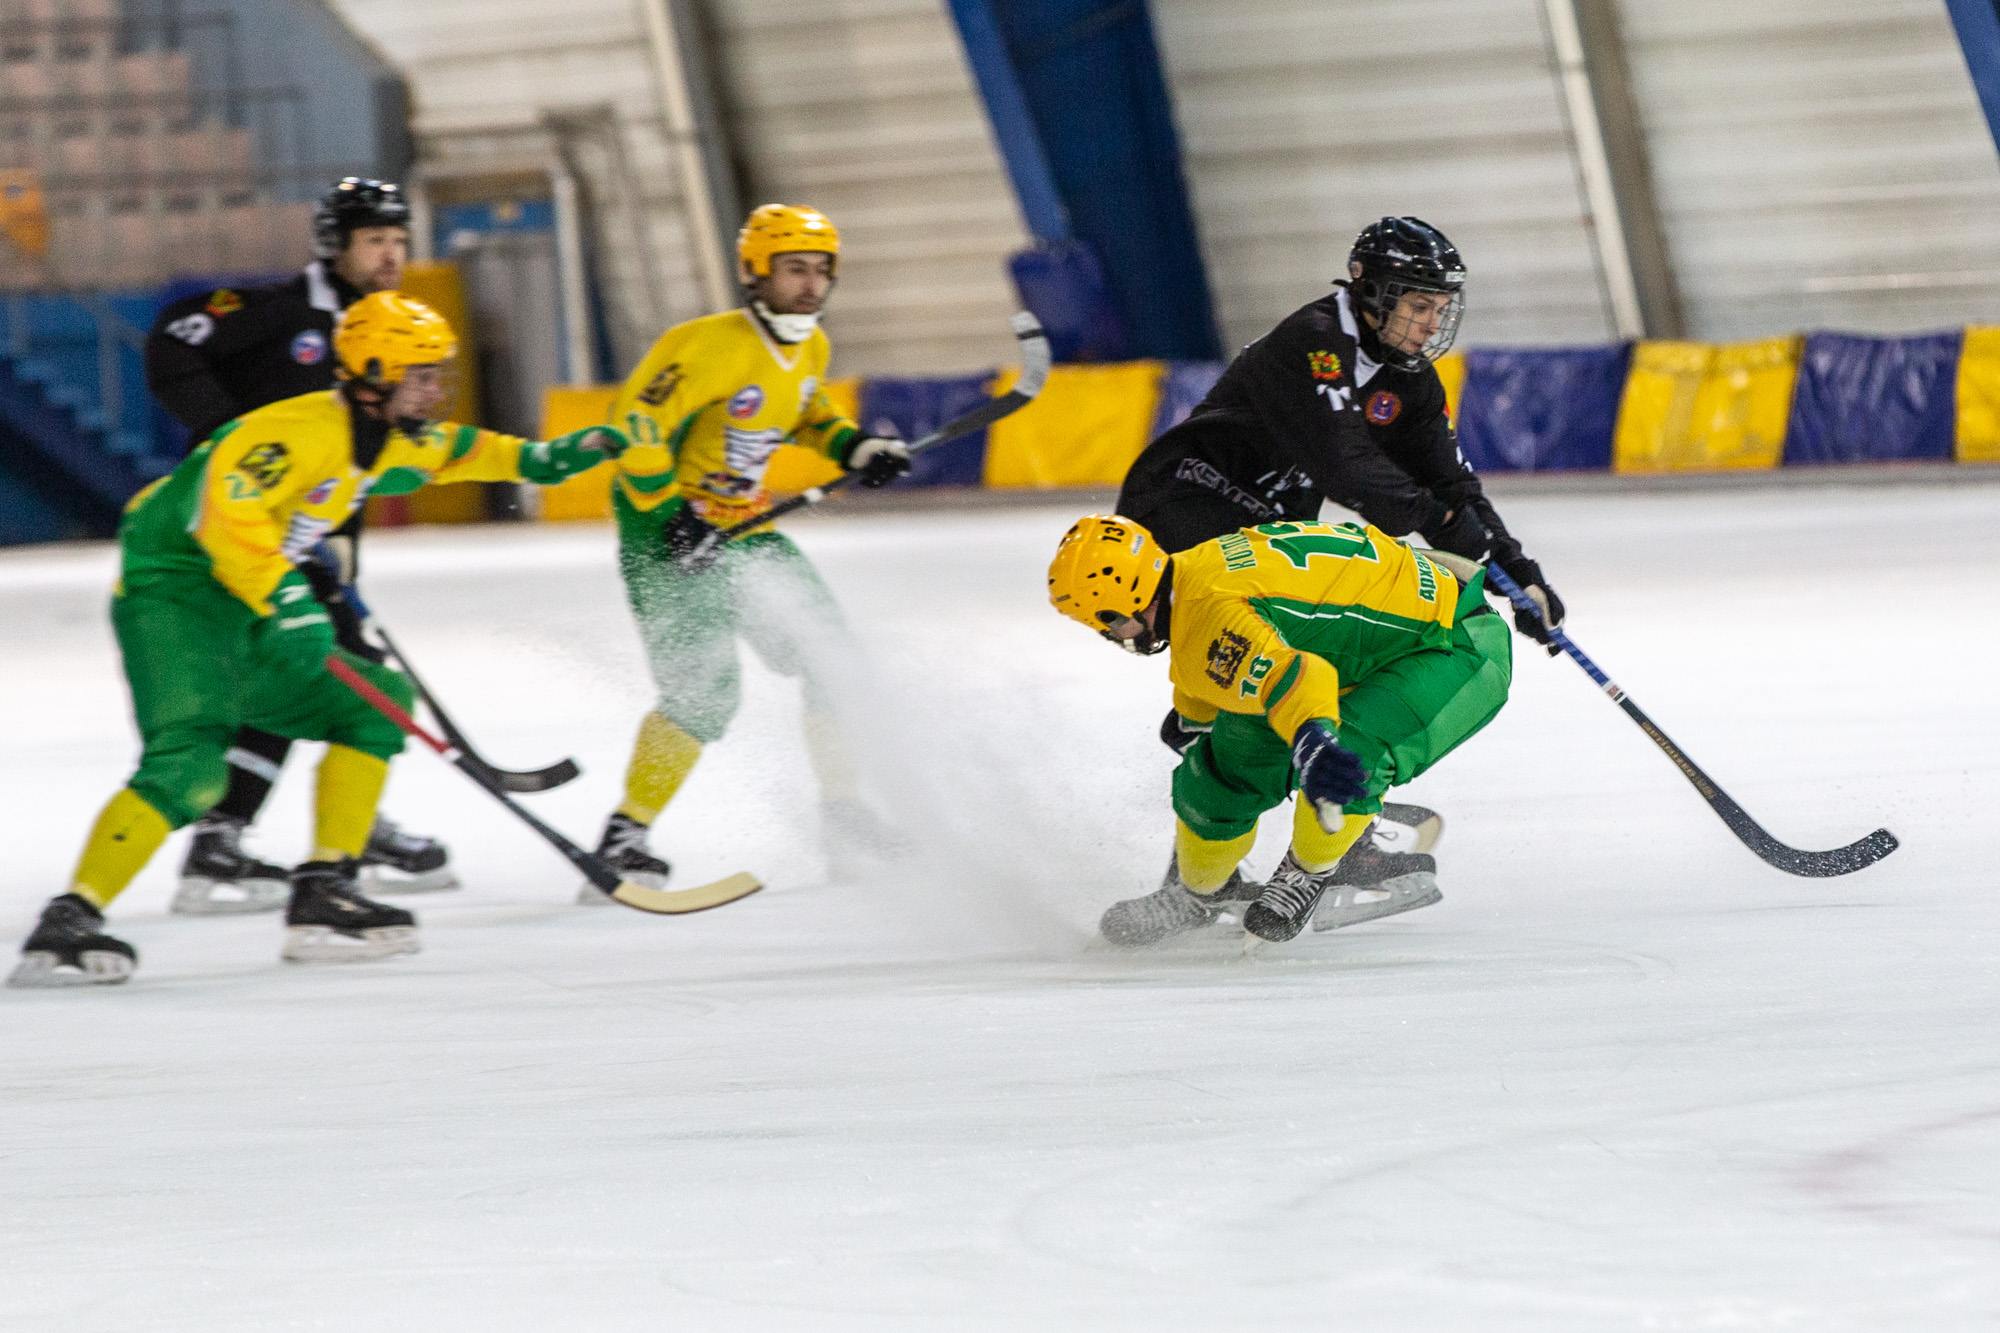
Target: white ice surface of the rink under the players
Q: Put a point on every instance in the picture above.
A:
(1621, 1078)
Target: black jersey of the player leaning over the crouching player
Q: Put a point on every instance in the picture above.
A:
(1305, 415)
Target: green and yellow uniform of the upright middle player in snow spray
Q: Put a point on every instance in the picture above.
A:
(707, 409)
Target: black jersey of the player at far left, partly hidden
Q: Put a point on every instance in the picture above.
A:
(217, 355)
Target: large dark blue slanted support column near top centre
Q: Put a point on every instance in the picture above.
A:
(1079, 105)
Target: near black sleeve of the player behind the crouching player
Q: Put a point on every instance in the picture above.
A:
(1325, 441)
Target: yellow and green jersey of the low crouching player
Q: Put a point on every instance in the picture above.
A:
(1281, 619)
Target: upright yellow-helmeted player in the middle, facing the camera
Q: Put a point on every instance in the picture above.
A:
(707, 409)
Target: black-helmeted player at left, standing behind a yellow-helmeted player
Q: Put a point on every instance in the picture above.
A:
(215, 357)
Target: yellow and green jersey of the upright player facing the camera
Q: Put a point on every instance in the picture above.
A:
(709, 407)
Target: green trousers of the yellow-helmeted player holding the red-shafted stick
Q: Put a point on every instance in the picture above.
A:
(199, 672)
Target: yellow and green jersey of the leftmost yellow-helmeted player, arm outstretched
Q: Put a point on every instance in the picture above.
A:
(269, 485)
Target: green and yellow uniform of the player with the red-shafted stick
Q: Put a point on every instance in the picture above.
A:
(207, 583)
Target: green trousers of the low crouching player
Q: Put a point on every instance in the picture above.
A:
(1399, 722)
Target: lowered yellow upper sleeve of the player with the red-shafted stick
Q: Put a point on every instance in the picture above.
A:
(243, 489)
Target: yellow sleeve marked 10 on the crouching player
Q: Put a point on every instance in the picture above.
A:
(1229, 659)
